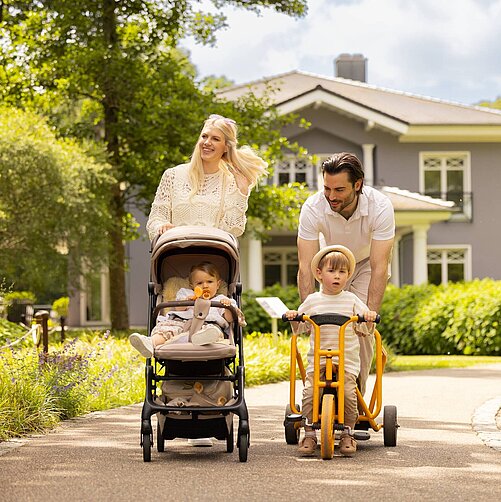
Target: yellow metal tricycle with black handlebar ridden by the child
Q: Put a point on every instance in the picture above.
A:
(329, 417)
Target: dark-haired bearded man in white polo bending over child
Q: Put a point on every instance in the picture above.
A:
(360, 218)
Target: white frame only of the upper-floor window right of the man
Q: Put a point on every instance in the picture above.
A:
(466, 214)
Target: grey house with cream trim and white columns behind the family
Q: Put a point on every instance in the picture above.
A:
(438, 161)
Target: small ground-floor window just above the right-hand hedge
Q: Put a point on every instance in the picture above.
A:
(452, 264)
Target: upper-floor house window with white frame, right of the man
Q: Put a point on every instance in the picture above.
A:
(446, 175)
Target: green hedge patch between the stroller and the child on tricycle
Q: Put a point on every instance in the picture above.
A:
(257, 319)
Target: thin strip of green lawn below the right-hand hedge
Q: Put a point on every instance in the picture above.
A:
(411, 363)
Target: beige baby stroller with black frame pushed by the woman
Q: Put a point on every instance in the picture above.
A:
(185, 371)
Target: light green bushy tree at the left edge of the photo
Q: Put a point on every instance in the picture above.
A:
(53, 197)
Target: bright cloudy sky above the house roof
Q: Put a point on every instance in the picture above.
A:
(446, 49)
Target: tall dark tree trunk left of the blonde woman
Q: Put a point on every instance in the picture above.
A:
(118, 298)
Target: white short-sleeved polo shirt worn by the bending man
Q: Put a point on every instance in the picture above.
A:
(373, 218)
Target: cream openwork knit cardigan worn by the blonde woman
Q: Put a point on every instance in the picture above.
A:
(173, 205)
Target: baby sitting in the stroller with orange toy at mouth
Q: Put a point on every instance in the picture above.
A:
(205, 279)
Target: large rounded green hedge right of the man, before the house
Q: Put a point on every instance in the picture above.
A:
(459, 318)
